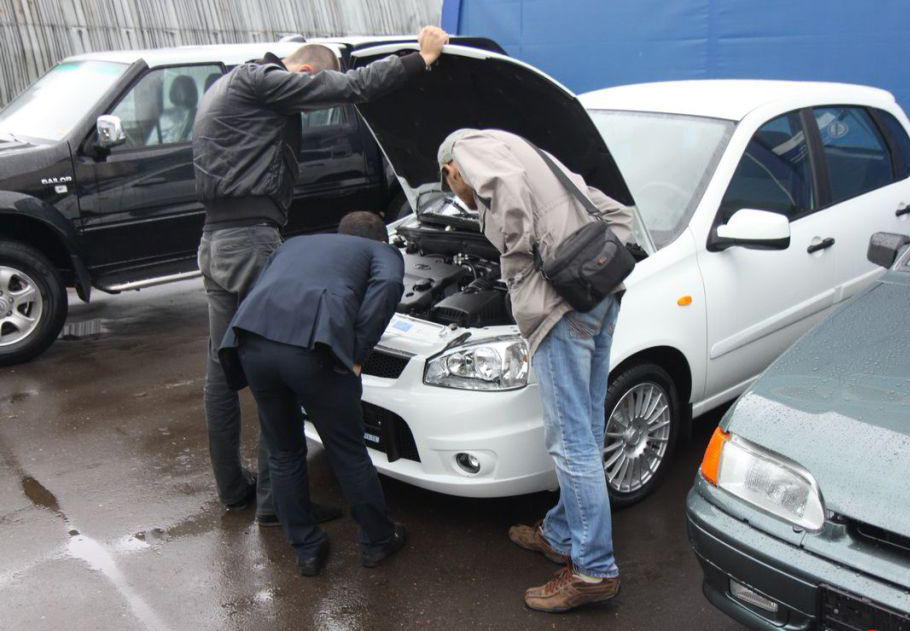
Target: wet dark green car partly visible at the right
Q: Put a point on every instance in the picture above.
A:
(800, 514)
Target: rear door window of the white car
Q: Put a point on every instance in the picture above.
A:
(855, 152)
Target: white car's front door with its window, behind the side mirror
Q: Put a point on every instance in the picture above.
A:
(759, 301)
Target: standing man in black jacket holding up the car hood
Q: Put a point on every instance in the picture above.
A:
(245, 139)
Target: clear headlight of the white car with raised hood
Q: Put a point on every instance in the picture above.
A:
(498, 364)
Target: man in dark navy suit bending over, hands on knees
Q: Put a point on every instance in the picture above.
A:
(301, 335)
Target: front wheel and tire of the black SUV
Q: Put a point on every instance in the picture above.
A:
(32, 289)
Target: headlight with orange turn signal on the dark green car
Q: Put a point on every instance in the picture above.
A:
(765, 480)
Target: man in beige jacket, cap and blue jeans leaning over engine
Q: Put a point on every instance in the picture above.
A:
(521, 202)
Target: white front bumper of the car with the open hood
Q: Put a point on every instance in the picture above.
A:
(503, 430)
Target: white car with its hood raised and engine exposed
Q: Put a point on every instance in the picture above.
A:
(757, 200)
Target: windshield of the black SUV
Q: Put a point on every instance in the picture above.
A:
(50, 108)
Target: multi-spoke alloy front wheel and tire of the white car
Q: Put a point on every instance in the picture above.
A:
(637, 454)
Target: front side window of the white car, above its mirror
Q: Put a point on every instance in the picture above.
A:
(775, 172)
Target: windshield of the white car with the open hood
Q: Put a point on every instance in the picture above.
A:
(666, 160)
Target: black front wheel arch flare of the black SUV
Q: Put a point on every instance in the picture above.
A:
(40, 225)
